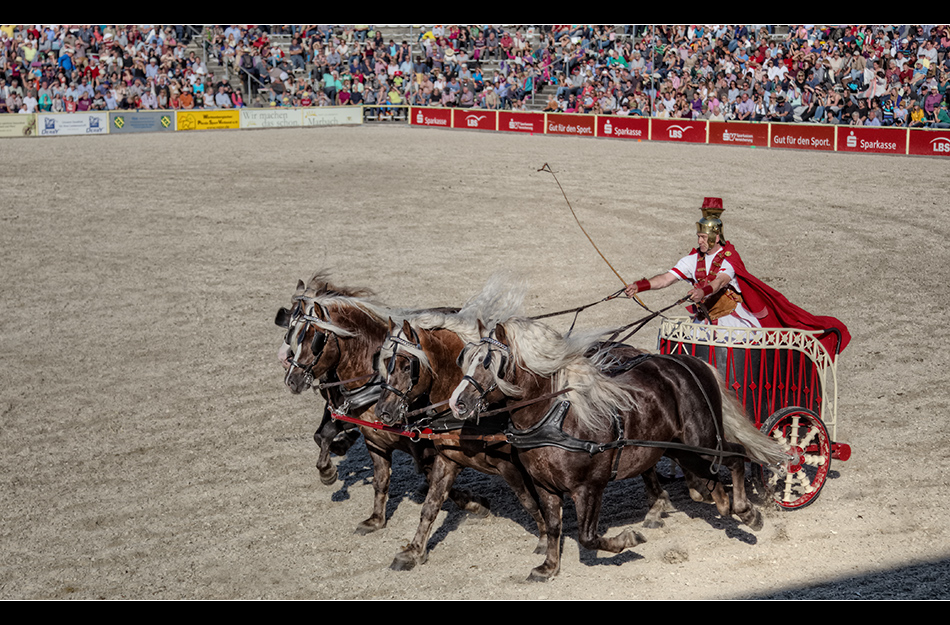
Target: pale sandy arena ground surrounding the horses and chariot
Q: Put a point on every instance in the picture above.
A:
(151, 450)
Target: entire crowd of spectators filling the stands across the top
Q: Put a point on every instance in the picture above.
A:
(842, 74)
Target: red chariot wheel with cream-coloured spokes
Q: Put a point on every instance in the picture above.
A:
(802, 431)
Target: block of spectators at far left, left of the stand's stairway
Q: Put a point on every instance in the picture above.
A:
(68, 68)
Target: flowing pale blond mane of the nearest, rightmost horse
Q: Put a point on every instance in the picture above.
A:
(543, 351)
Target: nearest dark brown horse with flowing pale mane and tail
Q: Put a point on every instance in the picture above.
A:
(577, 428)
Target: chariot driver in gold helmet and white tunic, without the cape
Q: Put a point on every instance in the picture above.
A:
(716, 293)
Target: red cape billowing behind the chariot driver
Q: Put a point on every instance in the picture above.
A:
(775, 311)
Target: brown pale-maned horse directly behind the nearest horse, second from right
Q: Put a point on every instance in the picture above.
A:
(419, 368)
